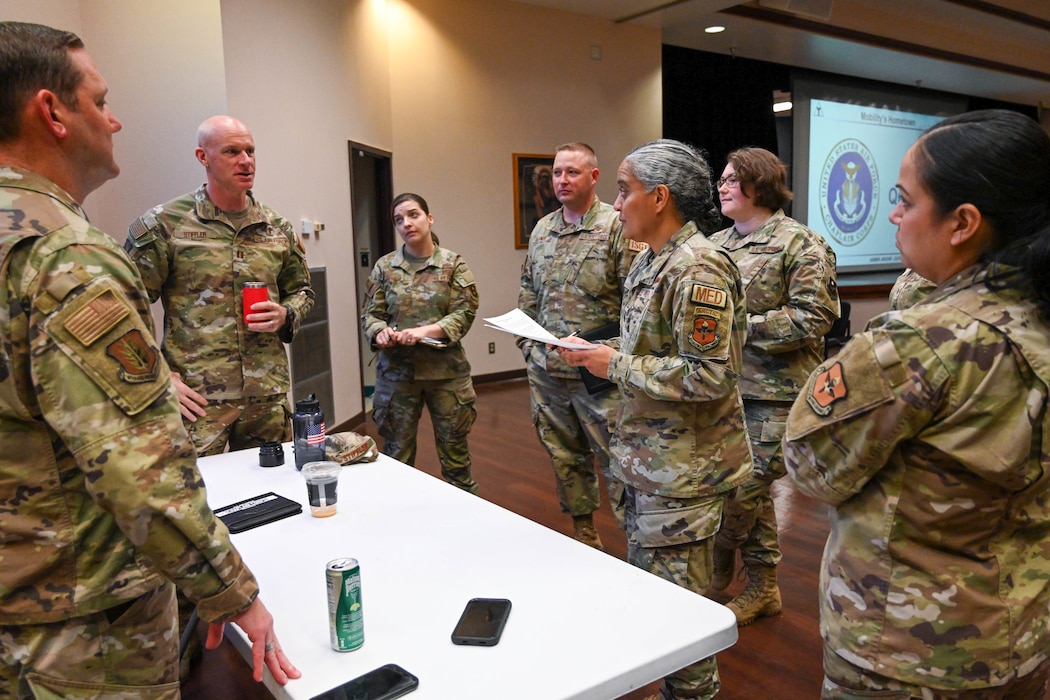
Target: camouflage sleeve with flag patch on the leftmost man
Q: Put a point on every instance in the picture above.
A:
(104, 387)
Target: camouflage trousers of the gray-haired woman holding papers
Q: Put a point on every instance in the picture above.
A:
(684, 558)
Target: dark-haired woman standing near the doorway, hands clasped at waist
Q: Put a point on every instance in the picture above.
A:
(422, 302)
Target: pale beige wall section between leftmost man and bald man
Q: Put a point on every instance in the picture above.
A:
(163, 62)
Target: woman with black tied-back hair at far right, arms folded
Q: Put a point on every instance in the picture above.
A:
(930, 436)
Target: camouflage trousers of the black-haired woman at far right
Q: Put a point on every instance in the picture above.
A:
(845, 682)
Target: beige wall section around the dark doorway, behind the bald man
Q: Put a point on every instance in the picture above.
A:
(308, 78)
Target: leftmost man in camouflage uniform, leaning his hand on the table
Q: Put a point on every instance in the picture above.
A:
(103, 506)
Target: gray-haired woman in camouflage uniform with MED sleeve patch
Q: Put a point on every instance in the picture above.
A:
(680, 443)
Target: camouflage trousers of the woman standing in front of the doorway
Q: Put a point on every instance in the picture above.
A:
(397, 408)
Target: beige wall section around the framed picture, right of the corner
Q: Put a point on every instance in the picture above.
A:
(474, 82)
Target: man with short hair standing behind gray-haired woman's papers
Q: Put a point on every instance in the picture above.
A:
(573, 282)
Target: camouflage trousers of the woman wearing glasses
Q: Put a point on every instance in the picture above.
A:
(750, 521)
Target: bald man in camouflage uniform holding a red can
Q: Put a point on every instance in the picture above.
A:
(197, 253)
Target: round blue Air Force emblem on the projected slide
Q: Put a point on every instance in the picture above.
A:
(849, 193)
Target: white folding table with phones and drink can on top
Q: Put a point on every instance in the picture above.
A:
(584, 625)
